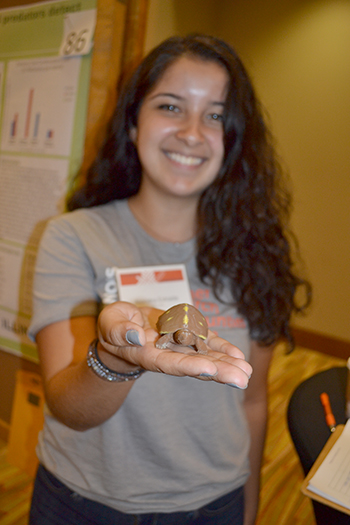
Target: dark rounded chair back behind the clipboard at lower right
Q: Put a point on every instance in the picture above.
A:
(309, 431)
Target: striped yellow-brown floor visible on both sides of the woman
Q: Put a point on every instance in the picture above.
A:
(282, 502)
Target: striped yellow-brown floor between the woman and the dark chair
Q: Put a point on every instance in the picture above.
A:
(282, 502)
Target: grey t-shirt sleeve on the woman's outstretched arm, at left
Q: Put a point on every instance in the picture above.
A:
(64, 278)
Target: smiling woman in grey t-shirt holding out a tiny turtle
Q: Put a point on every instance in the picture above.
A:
(133, 433)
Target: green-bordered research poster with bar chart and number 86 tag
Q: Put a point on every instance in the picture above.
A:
(45, 59)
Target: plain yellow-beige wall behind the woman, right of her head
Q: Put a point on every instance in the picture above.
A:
(297, 52)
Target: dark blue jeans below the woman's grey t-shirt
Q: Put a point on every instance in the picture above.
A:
(55, 504)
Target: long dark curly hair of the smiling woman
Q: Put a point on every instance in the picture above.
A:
(242, 239)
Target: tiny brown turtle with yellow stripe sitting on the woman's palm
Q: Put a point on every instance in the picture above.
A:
(184, 325)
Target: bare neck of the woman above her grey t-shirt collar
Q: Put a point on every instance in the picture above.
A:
(165, 221)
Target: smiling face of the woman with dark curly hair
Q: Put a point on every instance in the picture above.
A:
(179, 135)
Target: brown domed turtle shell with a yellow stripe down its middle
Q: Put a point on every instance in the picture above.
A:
(183, 316)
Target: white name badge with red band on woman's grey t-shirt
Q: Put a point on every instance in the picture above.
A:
(158, 286)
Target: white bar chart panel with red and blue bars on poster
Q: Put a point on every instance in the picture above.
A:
(40, 99)
